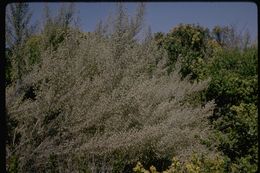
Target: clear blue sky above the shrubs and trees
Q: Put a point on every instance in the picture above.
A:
(162, 16)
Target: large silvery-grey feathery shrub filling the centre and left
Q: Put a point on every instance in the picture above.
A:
(92, 103)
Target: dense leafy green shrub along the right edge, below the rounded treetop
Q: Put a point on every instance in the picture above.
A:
(234, 87)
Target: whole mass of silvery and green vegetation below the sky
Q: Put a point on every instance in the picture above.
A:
(102, 101)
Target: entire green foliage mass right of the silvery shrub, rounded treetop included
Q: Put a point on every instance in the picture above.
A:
(231, 63)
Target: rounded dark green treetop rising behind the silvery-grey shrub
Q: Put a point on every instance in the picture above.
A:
(188, 44)
